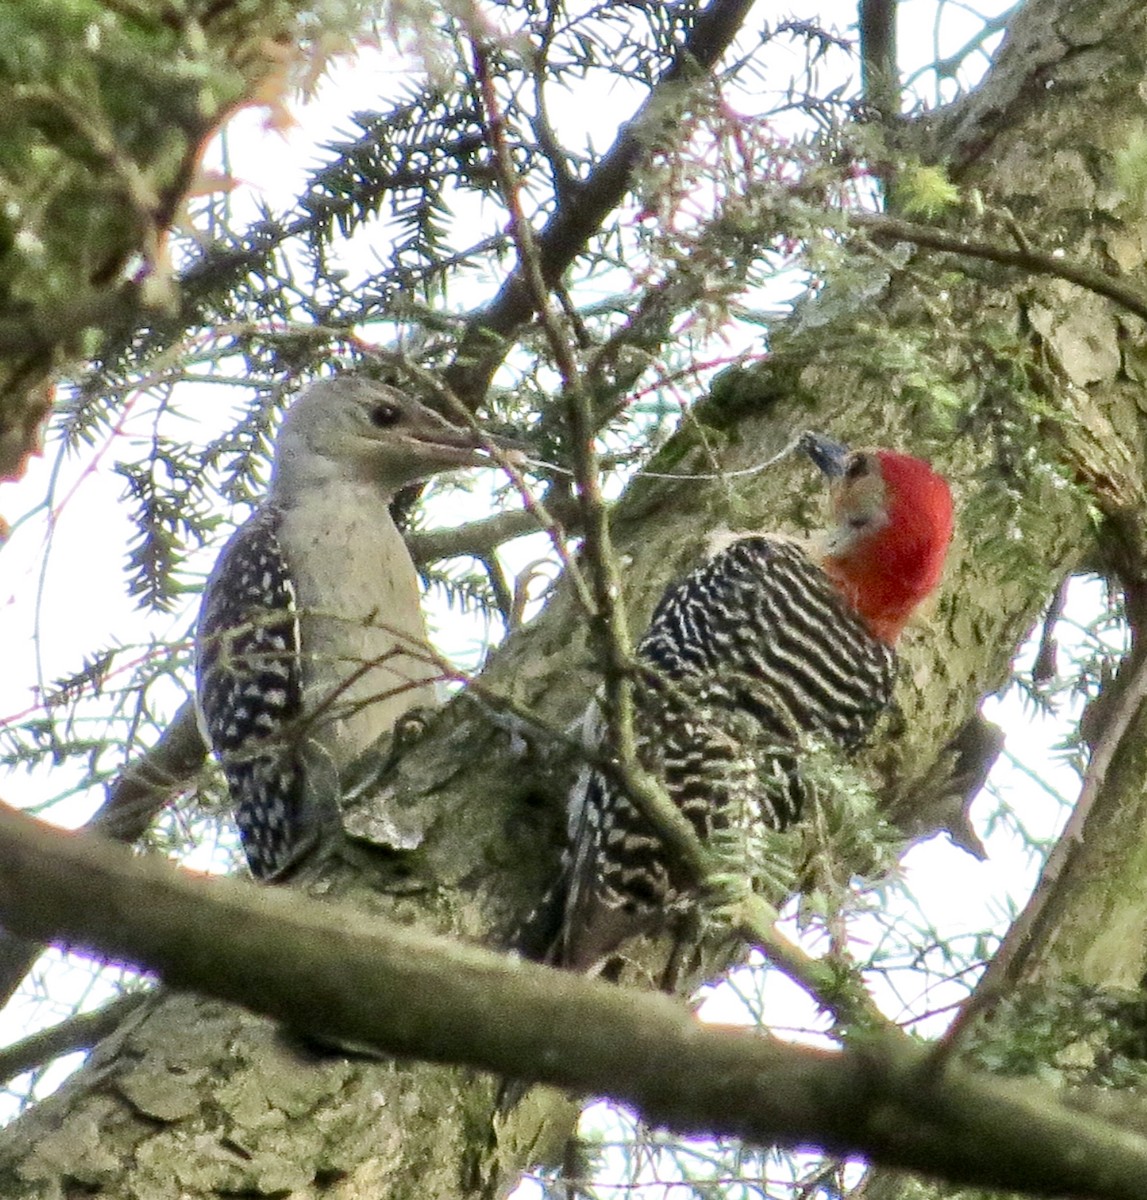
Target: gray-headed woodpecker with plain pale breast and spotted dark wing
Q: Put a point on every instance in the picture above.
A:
(311, 641)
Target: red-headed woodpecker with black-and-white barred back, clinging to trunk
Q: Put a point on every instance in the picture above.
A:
(765, 643)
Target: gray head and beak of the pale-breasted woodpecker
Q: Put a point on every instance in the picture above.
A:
(356, 429)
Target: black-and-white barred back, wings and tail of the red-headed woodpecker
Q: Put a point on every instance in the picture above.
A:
(749, 652)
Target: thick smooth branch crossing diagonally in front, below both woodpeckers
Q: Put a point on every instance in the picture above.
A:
(447, 1003)
